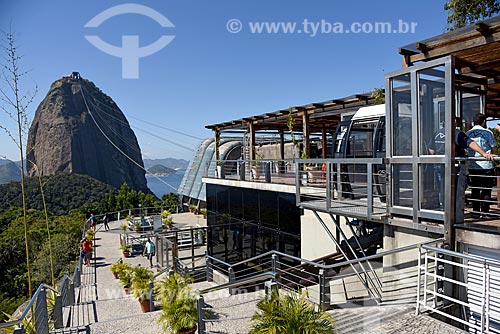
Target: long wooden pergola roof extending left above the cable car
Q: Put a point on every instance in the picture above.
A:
(321, 115)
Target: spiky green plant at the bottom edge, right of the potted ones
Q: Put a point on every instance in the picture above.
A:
(290, 314)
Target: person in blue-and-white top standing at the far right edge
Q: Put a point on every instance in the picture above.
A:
(482, 173)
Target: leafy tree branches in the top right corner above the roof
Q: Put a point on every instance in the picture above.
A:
(465, 12)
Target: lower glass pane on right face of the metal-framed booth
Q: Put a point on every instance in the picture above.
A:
(433, 180)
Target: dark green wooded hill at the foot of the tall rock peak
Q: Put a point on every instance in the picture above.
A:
(63, 192)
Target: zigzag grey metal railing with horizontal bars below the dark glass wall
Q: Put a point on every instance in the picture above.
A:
(325, 282)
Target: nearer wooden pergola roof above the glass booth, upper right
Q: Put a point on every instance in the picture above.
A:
(476, 49)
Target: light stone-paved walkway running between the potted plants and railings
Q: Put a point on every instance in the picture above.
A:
(106, 307)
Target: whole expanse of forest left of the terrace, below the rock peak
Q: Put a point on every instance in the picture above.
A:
(70, 198)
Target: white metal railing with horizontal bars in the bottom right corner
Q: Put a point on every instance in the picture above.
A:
(459, 287)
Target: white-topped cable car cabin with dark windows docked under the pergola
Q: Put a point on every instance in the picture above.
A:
(363, 136)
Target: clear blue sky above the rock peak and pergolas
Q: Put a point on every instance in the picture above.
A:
(207, 74)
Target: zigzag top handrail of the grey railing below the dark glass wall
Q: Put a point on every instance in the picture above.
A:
(330, 266)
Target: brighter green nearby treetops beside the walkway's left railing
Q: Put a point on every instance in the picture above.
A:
(65, 236)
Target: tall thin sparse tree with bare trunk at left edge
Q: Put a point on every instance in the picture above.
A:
(15, 104)
